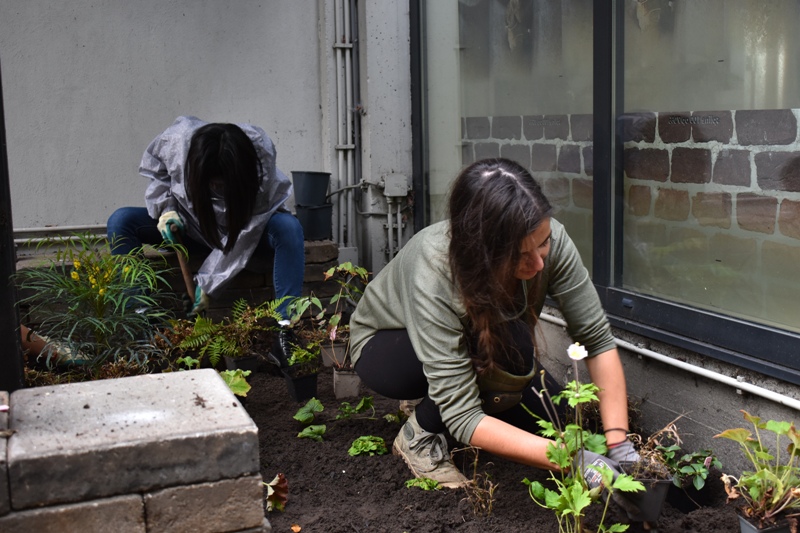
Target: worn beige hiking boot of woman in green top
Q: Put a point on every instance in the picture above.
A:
(426, 455)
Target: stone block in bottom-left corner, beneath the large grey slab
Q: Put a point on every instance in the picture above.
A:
(123, 514)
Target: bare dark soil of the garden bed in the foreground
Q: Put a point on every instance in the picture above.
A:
(330, 491)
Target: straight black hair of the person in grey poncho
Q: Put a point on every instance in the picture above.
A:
(222, 152)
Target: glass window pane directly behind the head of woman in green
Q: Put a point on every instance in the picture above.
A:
(513, 79)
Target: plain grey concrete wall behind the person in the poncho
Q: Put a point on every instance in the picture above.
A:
(87, 84)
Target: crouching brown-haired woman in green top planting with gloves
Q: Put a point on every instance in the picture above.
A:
(451, 320)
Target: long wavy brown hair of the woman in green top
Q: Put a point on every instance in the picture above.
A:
(494, 205)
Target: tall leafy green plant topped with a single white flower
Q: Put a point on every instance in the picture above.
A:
(572, 495)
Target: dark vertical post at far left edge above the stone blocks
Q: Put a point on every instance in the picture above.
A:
(11, 363)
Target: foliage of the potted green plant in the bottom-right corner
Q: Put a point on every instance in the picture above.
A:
(772, 488)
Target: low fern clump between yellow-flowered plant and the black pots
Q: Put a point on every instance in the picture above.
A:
(231, 337)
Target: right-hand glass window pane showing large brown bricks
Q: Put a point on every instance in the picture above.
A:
(711, 156)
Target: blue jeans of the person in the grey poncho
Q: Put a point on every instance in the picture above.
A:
(129, 228)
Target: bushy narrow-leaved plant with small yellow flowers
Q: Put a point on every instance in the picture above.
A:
(102, 306)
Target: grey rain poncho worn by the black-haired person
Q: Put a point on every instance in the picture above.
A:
(163, 162)
